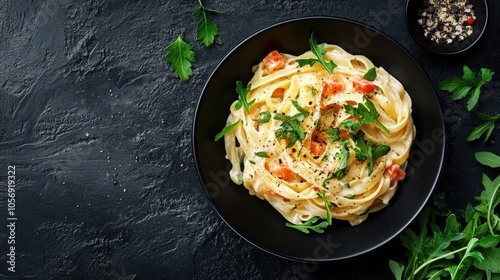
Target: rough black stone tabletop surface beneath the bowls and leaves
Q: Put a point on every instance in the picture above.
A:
(99, 130)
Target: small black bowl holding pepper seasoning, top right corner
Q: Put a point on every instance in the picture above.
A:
(480, 8)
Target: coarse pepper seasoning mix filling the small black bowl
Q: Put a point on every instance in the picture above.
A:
(448, 21)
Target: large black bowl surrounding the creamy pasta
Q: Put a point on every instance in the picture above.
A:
(256, 220)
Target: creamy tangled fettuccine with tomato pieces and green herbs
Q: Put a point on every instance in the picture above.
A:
(308, 132)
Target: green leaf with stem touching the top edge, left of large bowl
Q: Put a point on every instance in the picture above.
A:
(207, 30)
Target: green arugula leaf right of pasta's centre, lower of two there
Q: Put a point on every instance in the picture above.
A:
(368, 151)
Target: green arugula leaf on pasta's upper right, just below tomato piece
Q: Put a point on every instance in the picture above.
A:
(366, 113)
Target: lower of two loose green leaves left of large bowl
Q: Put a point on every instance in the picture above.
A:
(180, 56)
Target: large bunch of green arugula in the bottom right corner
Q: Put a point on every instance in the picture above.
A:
(462, 250)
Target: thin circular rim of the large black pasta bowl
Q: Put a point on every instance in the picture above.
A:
(434, 182)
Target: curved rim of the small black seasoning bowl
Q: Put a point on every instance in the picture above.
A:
(411, 30)
